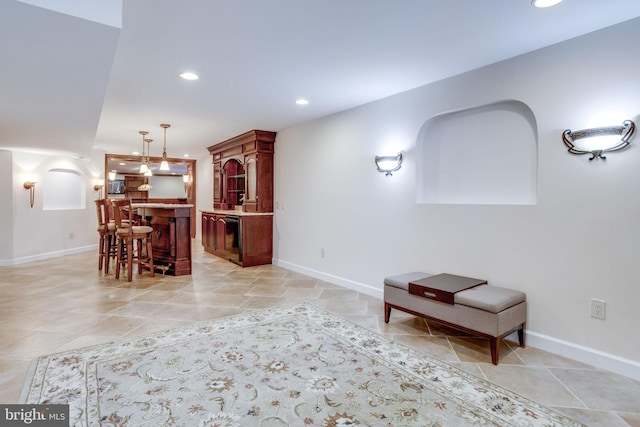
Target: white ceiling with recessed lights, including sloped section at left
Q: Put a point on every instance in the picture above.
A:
(74, 85)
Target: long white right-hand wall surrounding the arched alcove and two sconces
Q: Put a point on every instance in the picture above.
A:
(580, 241)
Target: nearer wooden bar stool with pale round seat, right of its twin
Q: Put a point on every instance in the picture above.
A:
(126, 233)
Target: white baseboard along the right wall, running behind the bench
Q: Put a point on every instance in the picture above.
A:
(597, 358)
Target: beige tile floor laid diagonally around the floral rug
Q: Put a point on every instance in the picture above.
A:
(49, 306)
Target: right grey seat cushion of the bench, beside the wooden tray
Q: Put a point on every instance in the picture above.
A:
(489, 298)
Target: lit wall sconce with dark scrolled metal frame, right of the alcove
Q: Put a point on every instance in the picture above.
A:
(602, 140)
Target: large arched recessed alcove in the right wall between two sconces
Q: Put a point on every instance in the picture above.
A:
(478, 155)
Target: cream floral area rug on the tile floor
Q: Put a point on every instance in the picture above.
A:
(286, 366)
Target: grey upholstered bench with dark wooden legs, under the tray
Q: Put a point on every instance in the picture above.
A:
(484, 310)
